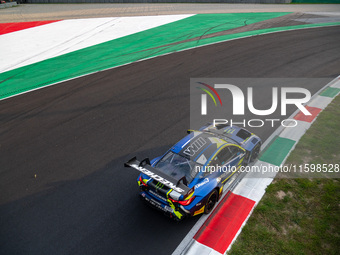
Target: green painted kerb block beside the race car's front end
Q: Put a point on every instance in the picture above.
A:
(277, 151)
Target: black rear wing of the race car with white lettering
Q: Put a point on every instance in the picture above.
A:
(145, 168)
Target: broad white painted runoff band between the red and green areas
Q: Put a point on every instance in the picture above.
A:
(39, 43)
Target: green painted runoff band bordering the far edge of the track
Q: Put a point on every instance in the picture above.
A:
(157, 41)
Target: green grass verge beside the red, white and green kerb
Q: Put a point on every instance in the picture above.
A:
(300, 216)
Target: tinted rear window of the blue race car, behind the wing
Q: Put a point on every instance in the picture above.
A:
(177, 166)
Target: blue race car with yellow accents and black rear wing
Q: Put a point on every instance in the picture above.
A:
(189, 178)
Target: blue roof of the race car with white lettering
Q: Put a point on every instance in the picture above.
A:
(200, 146)
